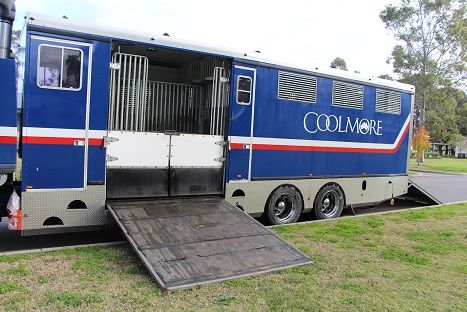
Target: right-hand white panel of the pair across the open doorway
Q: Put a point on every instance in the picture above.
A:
(195, 150)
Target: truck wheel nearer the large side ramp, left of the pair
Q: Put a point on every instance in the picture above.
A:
(284, 205)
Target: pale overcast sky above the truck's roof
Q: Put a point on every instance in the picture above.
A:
(311, 32)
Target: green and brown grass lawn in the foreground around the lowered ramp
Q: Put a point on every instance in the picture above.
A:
(403, 261)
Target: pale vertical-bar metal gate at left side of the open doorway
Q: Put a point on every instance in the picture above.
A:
(128, 96)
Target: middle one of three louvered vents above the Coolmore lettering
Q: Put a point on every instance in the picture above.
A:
(347, 95)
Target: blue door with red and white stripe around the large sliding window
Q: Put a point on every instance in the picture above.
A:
(51, 159)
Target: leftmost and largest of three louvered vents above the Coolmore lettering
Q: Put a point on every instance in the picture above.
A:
(297, 87)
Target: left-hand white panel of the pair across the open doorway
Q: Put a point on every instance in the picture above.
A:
(138, 149)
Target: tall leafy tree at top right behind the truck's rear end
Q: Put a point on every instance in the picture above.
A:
(432, 53)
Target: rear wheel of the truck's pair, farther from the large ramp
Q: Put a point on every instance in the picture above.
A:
(329, 202)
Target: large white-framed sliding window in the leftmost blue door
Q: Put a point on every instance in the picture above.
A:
(59, 68)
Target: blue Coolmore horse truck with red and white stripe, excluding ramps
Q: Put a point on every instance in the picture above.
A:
(113, 115)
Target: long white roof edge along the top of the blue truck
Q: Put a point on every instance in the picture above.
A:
(70, 26)
